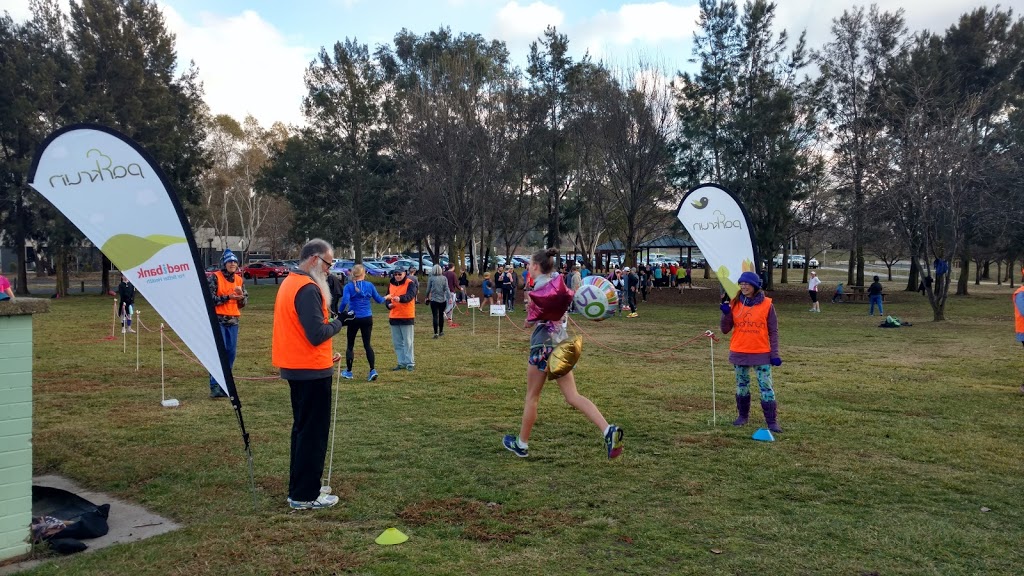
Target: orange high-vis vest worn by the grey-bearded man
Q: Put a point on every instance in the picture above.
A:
(290, 348)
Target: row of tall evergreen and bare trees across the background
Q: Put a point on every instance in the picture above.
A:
(903, 145)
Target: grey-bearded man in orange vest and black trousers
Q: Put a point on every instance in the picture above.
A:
(302, 349)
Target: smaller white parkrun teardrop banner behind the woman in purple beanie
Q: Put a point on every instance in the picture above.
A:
(720, 226)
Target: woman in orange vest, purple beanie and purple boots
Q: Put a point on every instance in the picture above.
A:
(751, 318)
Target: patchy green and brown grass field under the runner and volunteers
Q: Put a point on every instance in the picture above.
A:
(894, 441)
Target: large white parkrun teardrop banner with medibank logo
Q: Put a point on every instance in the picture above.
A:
(117, 196)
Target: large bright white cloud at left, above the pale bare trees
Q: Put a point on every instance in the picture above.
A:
(246, 65)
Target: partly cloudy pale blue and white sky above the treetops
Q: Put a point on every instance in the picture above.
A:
(251, 54)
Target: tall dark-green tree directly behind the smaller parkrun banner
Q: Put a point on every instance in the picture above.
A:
(747, 122)
